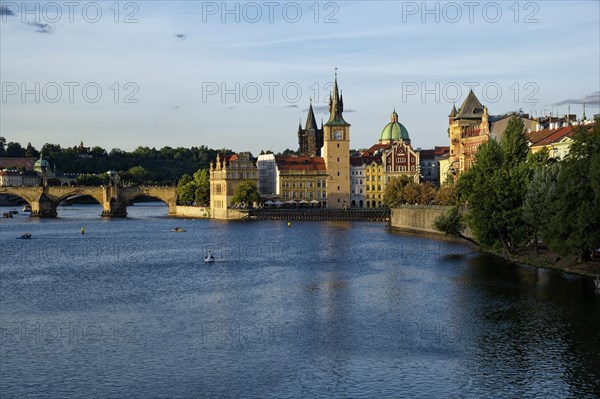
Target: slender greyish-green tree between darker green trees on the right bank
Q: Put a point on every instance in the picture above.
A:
(541, 192)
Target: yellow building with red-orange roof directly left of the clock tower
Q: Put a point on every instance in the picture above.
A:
(302, 179)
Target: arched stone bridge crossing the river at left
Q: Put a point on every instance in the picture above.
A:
(114, 199)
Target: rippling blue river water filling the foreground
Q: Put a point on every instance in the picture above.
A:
(318, 310)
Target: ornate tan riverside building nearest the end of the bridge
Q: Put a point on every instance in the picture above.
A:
(226, 174)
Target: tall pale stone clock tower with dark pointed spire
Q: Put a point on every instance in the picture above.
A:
(336, 152)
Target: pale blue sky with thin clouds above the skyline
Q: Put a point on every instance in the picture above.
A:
(240, 74)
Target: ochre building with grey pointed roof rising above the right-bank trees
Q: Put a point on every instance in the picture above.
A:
(468, 129)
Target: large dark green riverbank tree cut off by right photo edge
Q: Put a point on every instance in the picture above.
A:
(574, 225)
